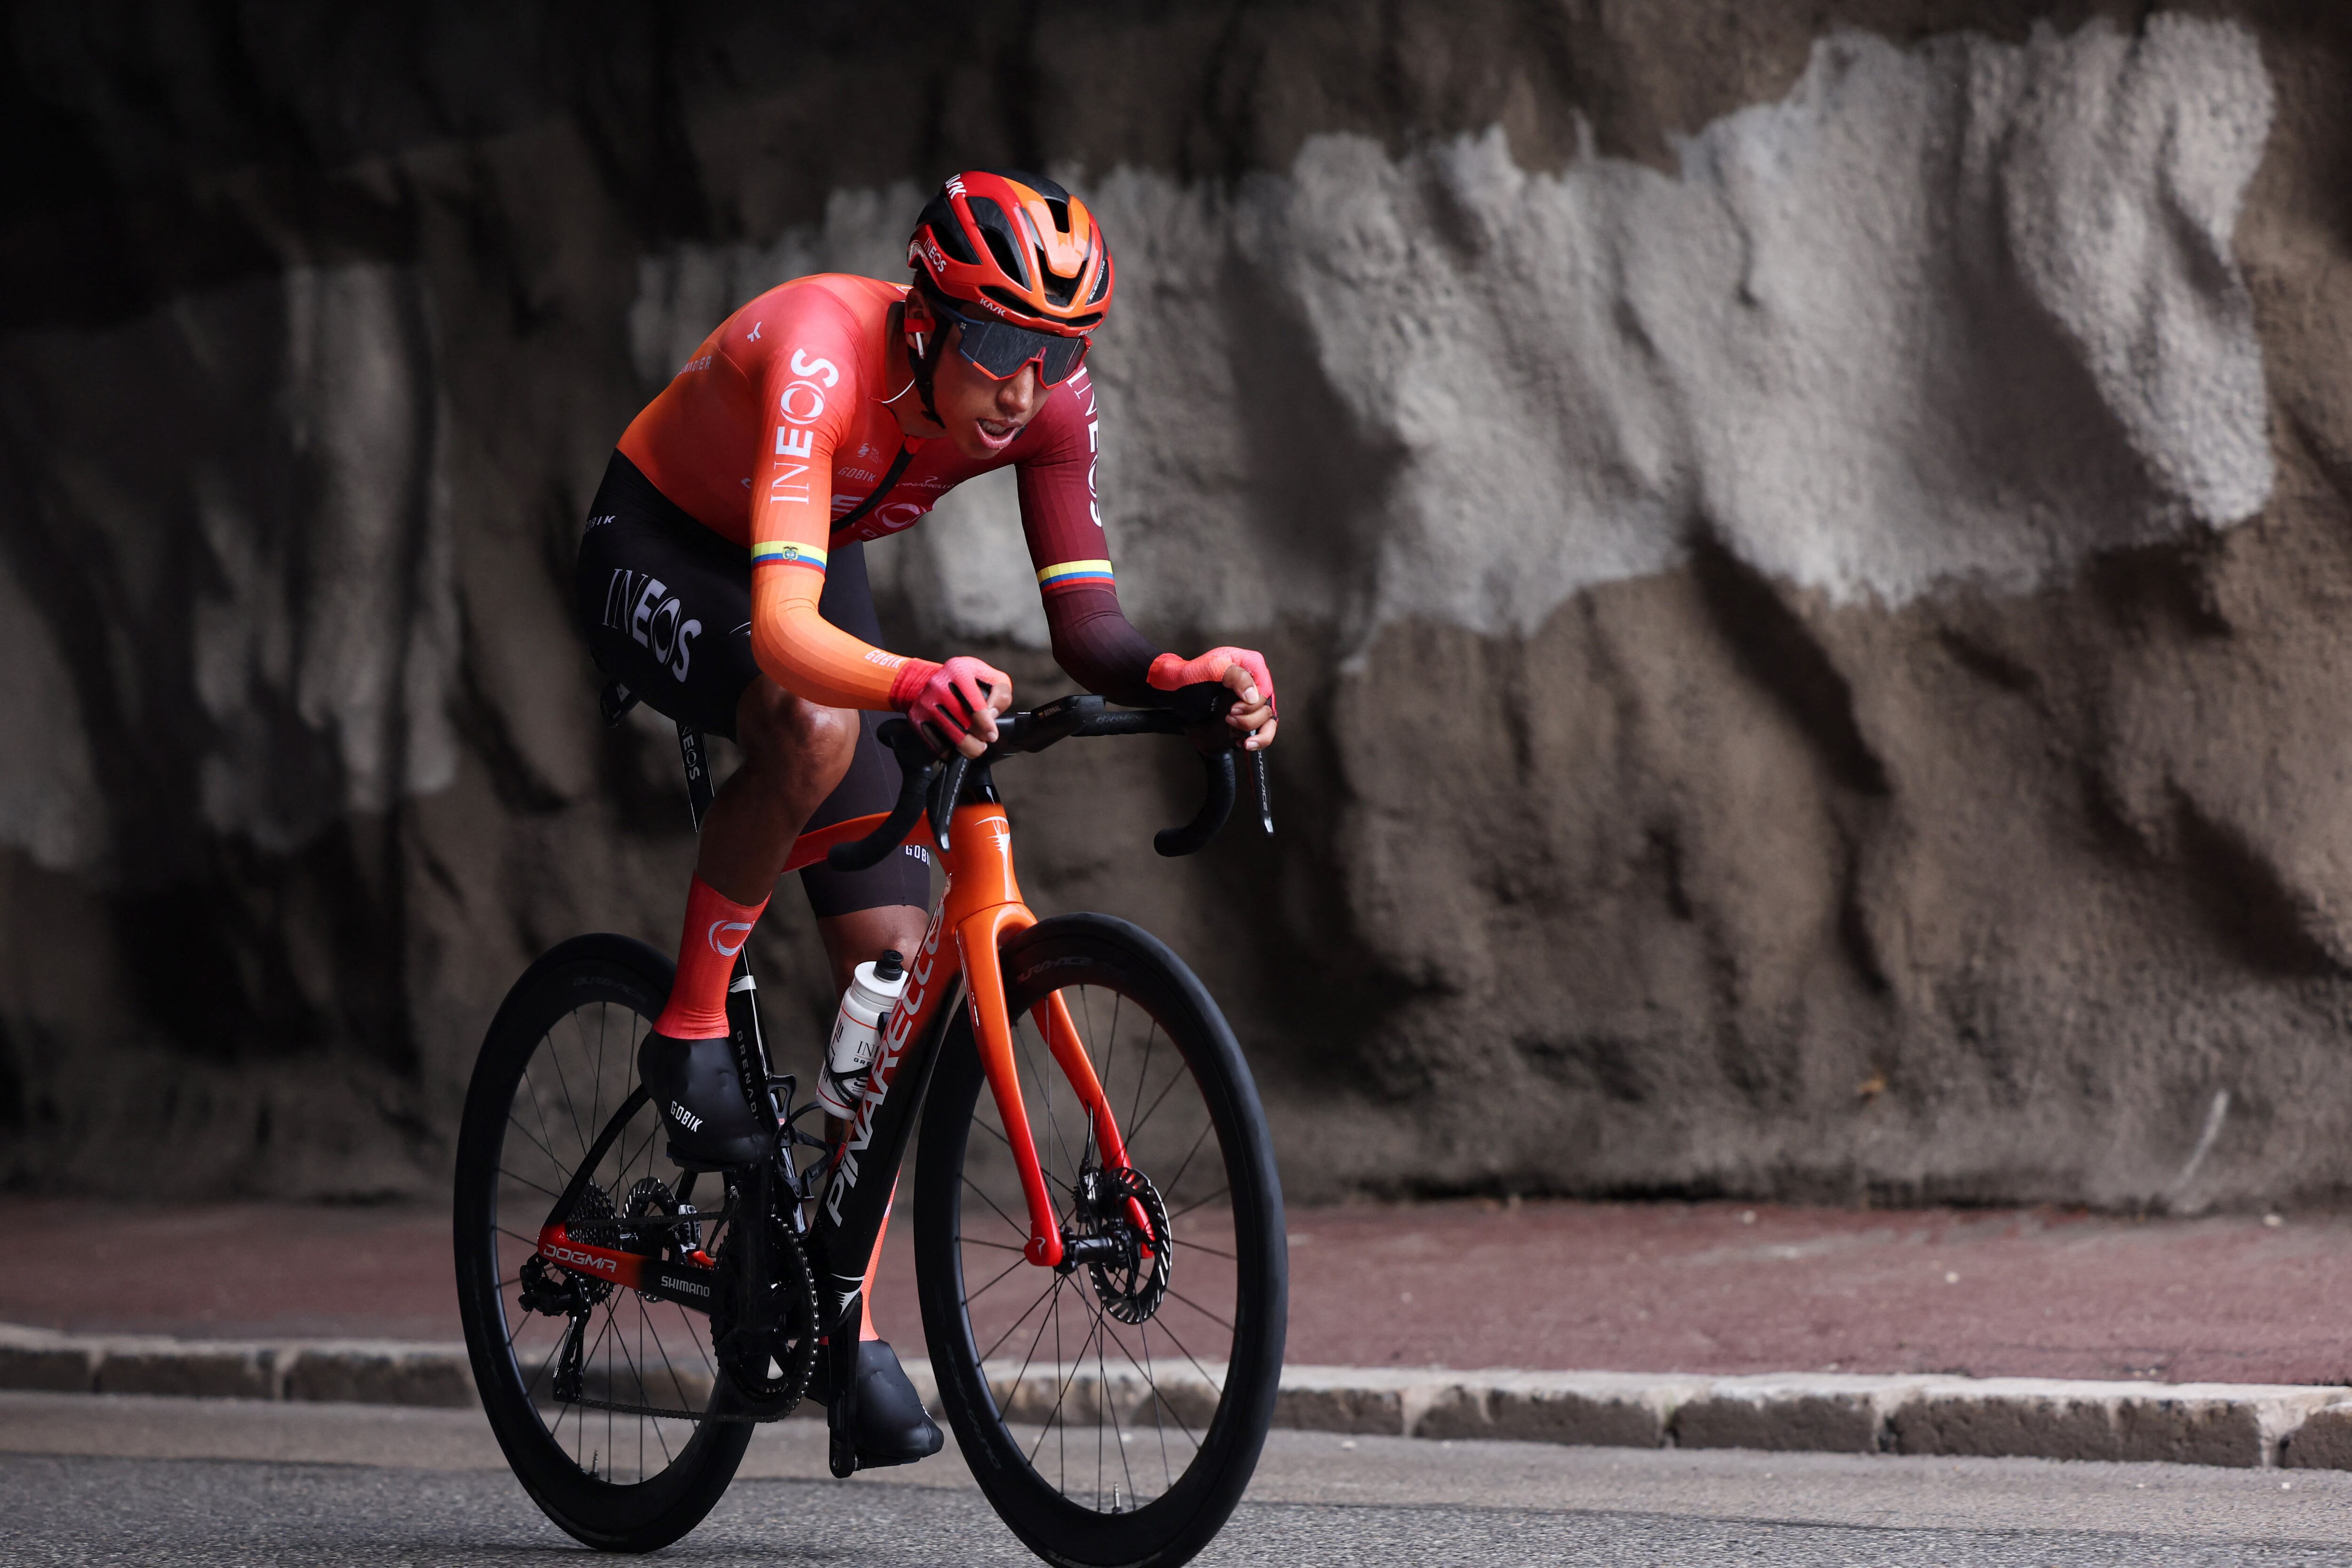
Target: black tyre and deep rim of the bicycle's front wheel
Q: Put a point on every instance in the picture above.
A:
(1083, 956)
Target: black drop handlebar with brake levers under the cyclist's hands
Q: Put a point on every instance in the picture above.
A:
(937, 784)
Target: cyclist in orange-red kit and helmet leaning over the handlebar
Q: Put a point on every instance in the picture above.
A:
(723, 579)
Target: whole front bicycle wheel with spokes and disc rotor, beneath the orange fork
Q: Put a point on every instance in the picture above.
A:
(1111, 1412)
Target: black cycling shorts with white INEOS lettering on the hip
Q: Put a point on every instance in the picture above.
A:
(667, 610)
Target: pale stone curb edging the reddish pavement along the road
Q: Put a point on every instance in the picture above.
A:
(2177, 1423)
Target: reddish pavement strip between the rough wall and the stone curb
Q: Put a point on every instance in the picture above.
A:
(1619, 1287)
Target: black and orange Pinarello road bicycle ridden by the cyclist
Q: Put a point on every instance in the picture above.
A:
(1100, 1242)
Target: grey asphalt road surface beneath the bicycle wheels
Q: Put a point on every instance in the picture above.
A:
(91, 1480)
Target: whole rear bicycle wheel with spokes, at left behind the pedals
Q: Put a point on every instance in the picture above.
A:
(603, 1412)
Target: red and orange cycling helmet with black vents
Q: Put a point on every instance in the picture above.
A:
(1020, 248)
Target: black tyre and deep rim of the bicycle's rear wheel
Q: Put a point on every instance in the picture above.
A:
(613, 974)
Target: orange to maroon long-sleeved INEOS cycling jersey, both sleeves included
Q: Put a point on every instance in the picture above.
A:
(777, 427)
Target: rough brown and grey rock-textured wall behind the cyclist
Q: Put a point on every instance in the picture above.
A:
(1800, 565)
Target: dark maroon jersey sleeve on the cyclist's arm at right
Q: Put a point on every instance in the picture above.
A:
(1064, 528)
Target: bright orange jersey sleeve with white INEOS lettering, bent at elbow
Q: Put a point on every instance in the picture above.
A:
(810, 391)
